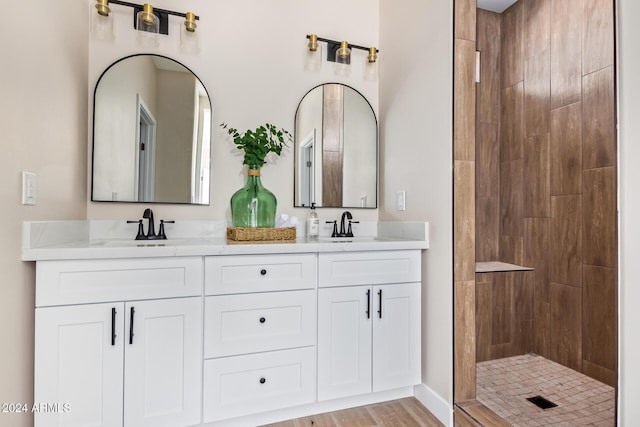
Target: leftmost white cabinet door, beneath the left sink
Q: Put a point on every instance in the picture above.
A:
(78, 365)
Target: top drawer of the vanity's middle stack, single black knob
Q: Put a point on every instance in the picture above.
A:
(259, 273)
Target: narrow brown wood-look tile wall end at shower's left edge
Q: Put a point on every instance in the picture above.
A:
(464, 130)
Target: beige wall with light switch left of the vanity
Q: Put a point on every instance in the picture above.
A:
(43, 96)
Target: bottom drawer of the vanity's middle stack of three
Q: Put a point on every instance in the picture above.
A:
(244, 385)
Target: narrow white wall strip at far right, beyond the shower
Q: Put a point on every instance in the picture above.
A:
(629, 225)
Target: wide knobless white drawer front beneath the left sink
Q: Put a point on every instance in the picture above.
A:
(89, 281)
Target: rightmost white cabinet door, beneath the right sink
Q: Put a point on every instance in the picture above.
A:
(396, 336)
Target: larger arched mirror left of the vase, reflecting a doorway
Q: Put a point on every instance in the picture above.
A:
(151, 133)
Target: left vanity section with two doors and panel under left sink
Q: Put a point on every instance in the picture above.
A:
(110, 356)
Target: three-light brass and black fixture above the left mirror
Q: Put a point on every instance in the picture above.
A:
(149, 21)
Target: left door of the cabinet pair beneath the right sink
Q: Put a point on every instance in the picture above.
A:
(344, 341)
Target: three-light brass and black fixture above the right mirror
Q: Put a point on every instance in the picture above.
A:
(339, 52)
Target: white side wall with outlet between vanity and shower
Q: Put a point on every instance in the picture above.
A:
(416, 80)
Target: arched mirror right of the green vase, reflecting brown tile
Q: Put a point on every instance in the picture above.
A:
(336, 149)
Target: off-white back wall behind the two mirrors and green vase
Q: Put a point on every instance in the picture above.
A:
(252, 64)
